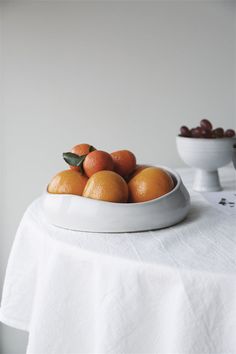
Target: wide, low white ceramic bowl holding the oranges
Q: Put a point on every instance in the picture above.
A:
(84, 214)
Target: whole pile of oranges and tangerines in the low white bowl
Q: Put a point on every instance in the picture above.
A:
(113, 177)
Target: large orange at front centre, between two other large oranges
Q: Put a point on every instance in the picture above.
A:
(108, 186)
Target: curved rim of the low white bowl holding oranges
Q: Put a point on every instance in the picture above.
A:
(130, 205)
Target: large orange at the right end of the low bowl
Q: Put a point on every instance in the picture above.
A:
(151, 183)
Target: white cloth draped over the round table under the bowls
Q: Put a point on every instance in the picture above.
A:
(166, 291)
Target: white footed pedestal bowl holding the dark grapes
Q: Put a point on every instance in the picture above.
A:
(206, 155)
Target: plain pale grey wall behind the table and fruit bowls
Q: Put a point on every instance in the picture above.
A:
(114, 74)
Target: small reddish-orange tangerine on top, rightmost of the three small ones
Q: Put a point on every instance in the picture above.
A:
(124, 162)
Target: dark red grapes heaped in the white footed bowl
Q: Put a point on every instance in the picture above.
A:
(205, 130)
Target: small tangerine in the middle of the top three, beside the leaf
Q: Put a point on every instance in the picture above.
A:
(97, 161)
